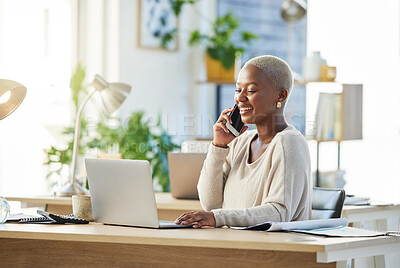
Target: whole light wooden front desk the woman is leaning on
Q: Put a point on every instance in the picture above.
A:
(24, 245)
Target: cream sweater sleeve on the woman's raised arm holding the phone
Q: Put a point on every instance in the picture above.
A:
(212, 179)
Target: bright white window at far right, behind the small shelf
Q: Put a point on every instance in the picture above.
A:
(361, 38)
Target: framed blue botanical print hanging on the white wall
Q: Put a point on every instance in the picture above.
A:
(156, 17)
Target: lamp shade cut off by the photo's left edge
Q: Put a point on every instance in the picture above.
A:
(17, 94)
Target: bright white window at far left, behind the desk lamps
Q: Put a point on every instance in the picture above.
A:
(35, 50)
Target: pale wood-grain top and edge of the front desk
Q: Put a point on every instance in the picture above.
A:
(205, 237)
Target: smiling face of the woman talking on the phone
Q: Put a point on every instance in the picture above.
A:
(255, 95)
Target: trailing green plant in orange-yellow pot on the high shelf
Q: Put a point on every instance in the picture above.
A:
(221, 50)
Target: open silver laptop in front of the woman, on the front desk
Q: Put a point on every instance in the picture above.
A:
(122, 193)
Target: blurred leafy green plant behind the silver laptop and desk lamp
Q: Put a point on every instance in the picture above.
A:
(137, 139)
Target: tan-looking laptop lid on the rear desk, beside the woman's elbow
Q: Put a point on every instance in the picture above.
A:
(184, 173)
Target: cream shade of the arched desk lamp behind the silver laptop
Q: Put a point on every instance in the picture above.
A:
(112, 94)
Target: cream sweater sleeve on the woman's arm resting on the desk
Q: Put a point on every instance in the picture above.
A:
(289, 195)
